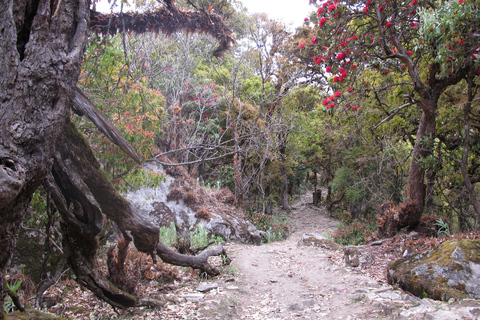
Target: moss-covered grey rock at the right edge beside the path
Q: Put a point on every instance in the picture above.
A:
(451, 270)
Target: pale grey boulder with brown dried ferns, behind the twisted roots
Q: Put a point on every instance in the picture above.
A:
(181, 200)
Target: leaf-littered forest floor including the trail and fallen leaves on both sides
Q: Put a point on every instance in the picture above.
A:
(279, 280)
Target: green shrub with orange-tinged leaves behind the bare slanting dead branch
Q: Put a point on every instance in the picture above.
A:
(125, 98)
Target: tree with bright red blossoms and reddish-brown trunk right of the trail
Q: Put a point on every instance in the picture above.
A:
(420, 47)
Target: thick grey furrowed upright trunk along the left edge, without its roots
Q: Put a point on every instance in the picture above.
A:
(41, 48)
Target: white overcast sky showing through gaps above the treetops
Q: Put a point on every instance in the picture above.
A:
(289, 11)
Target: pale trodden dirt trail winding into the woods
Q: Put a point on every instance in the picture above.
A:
(284, 280)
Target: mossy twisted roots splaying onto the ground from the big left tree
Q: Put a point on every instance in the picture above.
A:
(82, 192)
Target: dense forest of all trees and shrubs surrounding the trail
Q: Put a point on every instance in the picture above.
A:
(373, 106)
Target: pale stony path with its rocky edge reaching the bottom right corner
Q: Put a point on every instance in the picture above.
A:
(285, 280)
